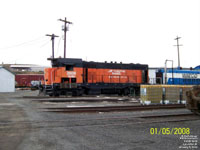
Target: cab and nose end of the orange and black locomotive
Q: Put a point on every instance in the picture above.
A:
(63, 77)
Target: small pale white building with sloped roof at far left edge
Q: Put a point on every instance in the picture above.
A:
(7, 80)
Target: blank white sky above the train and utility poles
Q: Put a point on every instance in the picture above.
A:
(128, 31)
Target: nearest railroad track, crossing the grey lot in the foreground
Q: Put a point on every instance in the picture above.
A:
(96, 122)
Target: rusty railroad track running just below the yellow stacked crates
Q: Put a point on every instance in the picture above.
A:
(111, 108)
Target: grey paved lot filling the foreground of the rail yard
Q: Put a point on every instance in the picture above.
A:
(23, 126)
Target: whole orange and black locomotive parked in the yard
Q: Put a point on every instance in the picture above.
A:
(77, 77)
